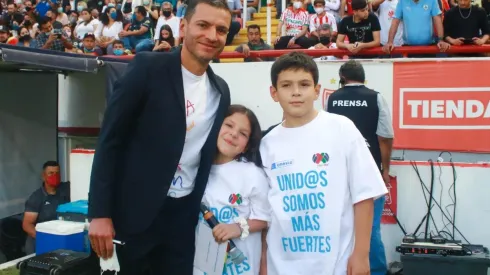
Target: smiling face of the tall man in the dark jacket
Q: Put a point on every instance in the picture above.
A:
(205, 32)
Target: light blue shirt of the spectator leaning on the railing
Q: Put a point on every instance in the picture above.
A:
(417, 20)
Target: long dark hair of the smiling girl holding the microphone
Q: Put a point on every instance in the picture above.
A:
(252, 152)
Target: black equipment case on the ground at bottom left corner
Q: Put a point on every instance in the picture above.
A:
(60, 262)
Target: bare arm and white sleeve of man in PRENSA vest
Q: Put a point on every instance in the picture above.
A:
(385, 133)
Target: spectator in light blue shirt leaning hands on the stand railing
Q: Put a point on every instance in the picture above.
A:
(417, 17)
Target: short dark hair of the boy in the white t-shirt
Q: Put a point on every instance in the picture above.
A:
(294, 61)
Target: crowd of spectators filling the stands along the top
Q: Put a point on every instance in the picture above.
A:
(125, 27)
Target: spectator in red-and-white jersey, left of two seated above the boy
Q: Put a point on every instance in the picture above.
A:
(295, 19)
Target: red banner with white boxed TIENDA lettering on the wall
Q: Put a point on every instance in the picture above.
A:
(442, 105)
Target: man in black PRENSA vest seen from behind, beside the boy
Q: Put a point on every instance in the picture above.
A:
(371, 115)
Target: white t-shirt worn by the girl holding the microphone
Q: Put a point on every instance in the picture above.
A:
(239, 189)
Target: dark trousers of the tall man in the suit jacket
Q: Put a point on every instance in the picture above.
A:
(167, 246)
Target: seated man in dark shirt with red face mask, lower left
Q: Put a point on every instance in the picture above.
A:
(42, 204)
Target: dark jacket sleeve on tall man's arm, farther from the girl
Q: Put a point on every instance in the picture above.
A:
(120, 115)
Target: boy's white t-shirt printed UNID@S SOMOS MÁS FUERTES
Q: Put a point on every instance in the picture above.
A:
(317, 172)
